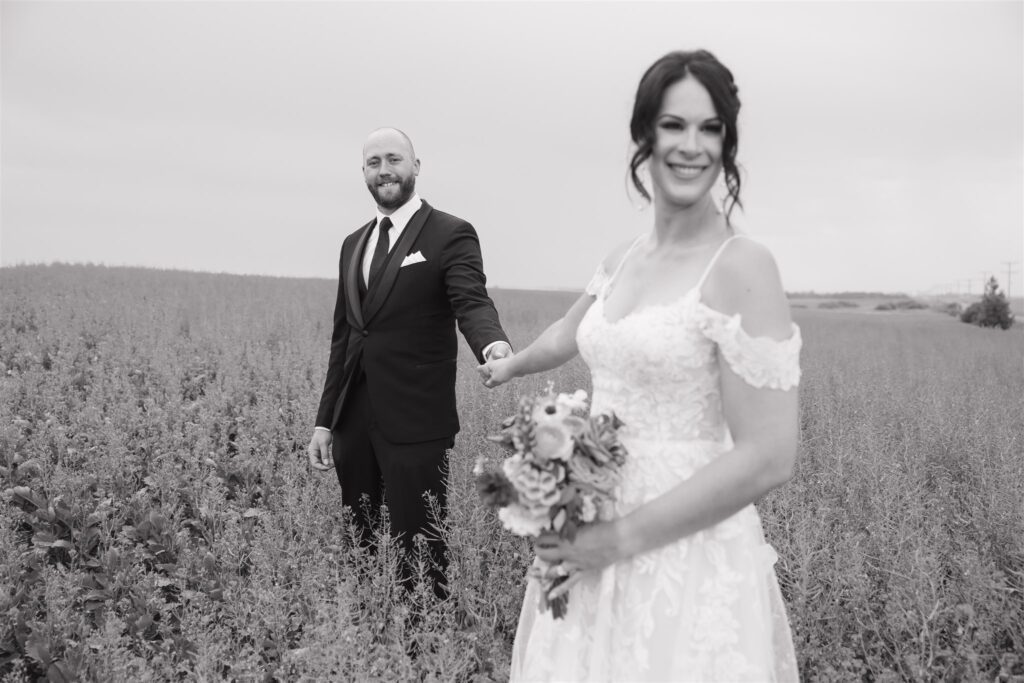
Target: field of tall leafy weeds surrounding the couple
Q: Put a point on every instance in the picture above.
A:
(159, 522)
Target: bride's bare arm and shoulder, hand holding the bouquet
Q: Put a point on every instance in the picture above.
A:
(763, 422)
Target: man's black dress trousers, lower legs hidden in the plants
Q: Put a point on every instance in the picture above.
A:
(374, 472)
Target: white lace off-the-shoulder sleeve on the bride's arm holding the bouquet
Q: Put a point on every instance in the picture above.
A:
(761, 362)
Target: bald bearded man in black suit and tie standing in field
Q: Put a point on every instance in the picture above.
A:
(388, 416)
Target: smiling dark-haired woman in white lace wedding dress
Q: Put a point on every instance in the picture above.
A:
(689, 338)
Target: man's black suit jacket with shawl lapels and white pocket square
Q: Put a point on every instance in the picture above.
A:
(403, 334)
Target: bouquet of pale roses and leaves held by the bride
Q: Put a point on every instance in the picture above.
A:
(562, 474)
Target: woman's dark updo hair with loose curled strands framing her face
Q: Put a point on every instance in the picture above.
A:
(717, 79)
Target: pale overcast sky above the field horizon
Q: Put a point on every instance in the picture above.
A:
(883, 144)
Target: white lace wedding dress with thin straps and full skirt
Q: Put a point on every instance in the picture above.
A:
(707, 608)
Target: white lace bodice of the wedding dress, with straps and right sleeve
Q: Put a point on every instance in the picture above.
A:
(658, 368)
